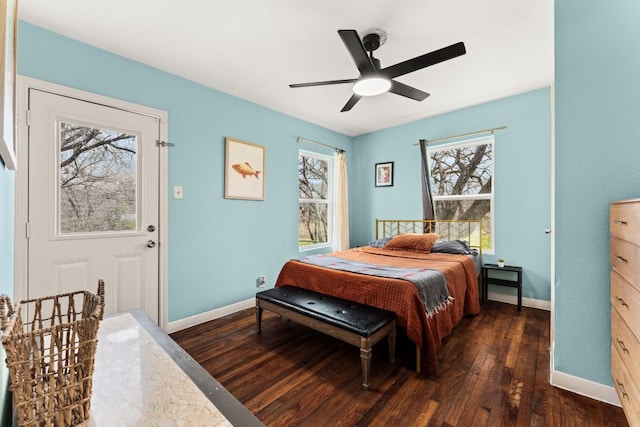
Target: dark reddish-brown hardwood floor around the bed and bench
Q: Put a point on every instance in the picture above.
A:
(493, 371)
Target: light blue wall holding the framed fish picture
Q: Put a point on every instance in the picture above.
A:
(217, 247)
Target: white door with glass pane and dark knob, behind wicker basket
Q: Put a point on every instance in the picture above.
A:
(93, 202)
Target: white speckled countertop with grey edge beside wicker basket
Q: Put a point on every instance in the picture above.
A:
(141, 380)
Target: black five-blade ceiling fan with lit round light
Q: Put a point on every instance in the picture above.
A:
(374, 80)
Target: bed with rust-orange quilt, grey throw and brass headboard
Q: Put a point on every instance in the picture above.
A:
(404, 270)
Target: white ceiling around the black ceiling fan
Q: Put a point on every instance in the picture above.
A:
(254, 49)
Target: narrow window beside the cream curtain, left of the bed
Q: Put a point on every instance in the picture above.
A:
(315, 214)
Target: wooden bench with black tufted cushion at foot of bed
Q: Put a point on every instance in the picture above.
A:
(349, 321)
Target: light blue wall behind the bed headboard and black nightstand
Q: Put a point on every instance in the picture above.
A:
(522, 179)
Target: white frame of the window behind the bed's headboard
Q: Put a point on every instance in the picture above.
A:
(486, 140)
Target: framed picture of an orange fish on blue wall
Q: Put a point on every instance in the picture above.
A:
(244, 172)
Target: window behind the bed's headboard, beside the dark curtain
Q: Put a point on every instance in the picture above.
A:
(462, 183)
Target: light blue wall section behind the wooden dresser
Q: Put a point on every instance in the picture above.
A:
(598, 160)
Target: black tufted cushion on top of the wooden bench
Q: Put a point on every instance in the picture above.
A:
(354, 317)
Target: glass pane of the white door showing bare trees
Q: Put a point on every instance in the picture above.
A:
(98, 180)
